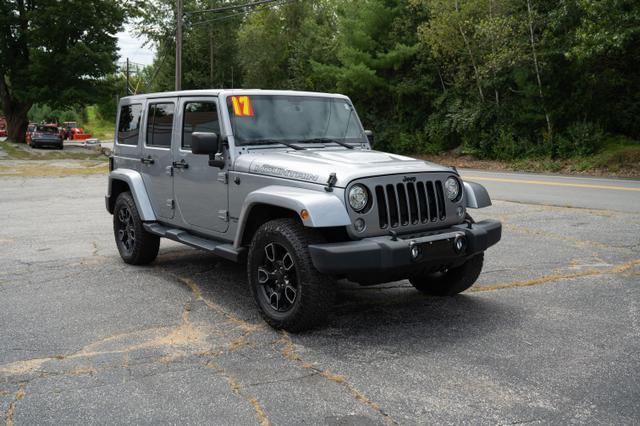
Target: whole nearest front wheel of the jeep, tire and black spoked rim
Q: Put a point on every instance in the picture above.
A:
(290, 293)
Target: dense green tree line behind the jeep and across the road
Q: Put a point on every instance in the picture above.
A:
(504, 78)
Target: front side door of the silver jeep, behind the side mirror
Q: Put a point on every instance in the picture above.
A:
(200, 190)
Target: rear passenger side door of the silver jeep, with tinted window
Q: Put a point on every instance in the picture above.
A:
(157, 158)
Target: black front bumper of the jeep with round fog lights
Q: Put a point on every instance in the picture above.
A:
(387, 253)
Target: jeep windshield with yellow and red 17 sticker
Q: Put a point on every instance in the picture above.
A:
(300, 119)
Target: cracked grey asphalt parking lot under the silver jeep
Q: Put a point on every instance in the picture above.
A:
(550, 334)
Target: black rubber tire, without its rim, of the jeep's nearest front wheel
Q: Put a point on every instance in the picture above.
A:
(315, 292)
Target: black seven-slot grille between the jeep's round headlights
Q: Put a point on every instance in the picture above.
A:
(410, 203)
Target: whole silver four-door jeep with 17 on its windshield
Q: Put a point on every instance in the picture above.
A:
(289, 183)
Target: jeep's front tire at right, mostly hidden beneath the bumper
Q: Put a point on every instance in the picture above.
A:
(451, 281)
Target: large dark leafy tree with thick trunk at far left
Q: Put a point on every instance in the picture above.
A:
(54, 52)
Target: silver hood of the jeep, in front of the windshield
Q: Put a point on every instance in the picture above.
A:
(315, 165)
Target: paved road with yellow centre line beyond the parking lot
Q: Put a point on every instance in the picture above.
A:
(586, 192)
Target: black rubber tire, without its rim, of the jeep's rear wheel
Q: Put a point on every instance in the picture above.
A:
(145, 247)
